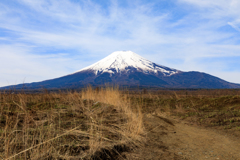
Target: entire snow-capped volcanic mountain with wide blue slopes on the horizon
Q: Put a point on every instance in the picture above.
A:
(126, 68)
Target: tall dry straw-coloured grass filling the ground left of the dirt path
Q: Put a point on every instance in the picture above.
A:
(83, 125)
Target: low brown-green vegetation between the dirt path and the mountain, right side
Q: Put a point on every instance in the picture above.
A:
(218, 109)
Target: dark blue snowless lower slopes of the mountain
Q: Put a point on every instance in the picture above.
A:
(180, 80)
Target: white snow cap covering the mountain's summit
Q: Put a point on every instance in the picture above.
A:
(124, 60)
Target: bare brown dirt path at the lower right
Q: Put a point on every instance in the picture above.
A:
(172, 139)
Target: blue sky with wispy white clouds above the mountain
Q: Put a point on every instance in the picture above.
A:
(46, 39)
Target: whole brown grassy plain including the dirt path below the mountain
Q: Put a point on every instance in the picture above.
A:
(106, 123)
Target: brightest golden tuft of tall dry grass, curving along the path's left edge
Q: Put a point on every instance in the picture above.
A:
(111, 95)
